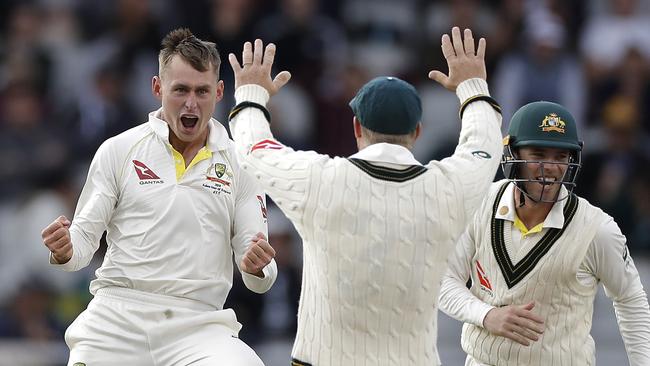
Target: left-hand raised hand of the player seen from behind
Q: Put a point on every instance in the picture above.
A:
(256, 66)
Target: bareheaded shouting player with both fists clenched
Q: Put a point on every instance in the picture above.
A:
(176, 206)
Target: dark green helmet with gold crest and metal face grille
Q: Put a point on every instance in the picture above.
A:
(541, 124)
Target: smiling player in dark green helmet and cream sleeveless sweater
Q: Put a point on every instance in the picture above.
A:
(536, 253)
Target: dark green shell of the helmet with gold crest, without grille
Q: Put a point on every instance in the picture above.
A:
(543, 124)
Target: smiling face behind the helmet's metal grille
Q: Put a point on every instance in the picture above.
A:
(549, 166)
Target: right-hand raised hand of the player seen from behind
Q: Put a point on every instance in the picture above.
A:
(462, 59)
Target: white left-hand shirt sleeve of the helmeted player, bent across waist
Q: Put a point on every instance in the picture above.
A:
(455, 299)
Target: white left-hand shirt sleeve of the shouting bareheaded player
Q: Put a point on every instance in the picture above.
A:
(95, 208)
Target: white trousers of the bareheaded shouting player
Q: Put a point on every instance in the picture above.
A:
(129, 327)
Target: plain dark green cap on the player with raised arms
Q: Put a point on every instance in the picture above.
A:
(388, 105)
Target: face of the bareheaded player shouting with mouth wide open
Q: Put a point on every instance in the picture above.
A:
(188, 99)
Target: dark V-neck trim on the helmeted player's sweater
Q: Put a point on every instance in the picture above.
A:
(515, 273)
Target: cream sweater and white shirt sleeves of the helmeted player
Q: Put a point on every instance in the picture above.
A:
(562, 283)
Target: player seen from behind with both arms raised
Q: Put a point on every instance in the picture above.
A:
(378, 226)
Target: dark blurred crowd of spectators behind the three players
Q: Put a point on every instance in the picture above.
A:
(75, 72)
